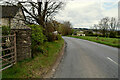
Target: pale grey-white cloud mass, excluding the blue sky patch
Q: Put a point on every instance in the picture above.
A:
(84, 14)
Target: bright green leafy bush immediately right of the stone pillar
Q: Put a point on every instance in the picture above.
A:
(37, 37)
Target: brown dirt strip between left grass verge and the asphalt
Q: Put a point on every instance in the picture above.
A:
(53, 68)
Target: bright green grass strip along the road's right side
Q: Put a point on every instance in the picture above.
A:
(114, 42)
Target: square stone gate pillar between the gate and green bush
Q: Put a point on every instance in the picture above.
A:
(23, 43)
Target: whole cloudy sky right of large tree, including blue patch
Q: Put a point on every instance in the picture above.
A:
(86, 13)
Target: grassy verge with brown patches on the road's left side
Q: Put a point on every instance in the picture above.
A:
(38, 66)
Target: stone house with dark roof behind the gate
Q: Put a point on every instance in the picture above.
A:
(12, 16)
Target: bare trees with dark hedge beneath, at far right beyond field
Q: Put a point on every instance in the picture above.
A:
(109, 27)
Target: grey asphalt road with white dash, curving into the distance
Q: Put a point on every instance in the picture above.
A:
(86, 59)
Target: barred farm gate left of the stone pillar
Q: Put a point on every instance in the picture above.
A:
(7, 51)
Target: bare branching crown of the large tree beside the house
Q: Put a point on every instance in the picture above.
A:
(38, 12)
